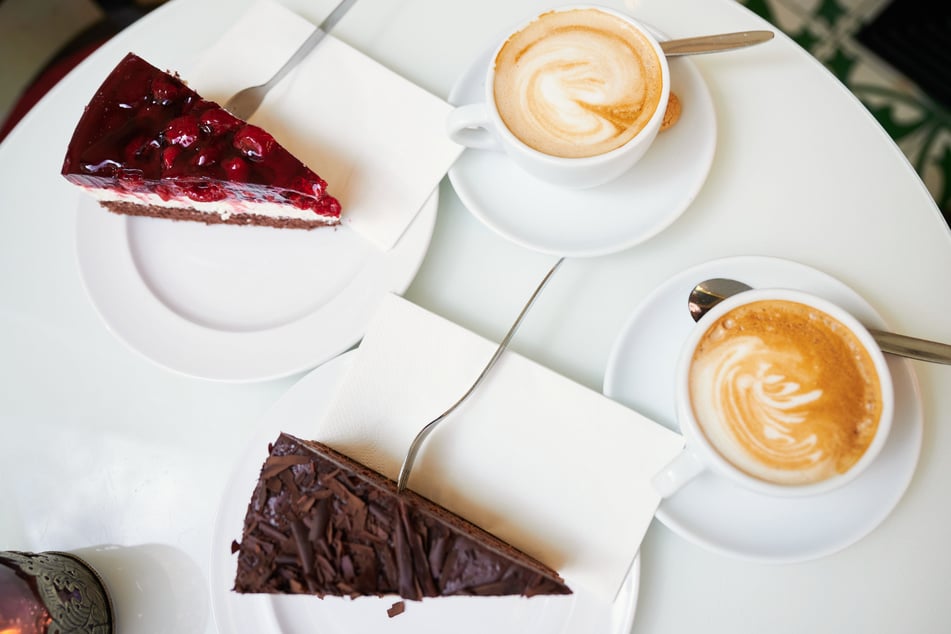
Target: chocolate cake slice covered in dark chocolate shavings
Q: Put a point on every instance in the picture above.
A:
(320, 523)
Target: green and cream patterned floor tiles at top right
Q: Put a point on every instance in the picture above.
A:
(920, 126)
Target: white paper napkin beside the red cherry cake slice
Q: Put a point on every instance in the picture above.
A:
(376, 138)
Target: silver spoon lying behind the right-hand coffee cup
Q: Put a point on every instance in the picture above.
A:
(709, 293)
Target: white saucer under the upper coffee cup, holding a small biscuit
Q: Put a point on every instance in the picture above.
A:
(606, 219)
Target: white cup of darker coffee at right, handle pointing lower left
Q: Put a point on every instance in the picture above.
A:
(781, 392)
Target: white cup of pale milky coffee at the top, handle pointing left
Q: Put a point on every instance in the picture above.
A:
(575, 96)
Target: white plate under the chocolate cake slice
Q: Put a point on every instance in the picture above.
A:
(296, 413)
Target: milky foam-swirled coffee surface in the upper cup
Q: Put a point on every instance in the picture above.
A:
(577, 83)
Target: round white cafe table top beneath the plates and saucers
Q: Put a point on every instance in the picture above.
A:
(102, 446)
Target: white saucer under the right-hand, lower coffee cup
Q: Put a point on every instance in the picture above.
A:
(718, 514)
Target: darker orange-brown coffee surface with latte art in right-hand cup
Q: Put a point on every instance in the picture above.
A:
(785, 392)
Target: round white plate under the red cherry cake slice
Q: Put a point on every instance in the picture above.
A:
(239, 303)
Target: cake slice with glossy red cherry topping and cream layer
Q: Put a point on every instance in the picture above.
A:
(148, 145)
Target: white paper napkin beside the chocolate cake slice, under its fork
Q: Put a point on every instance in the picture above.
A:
(552, 467)
